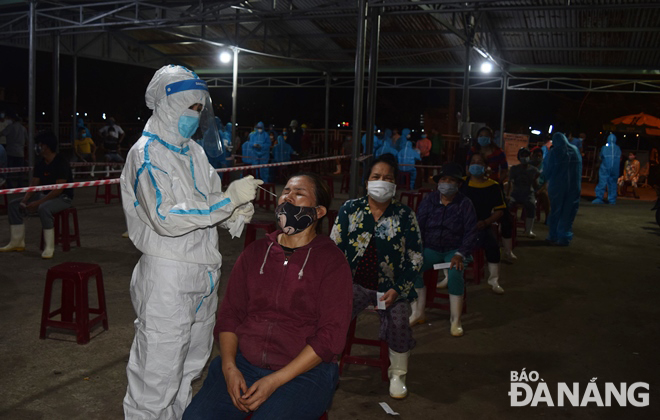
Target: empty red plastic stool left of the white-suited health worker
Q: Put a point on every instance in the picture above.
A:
(75, 300)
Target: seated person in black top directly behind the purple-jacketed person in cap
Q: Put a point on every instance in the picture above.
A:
(488, 199)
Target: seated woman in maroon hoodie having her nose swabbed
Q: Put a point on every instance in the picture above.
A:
(283, 320)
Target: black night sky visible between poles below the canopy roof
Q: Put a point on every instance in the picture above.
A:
(118, 89)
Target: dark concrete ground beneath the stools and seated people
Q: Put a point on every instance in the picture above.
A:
(571, 314)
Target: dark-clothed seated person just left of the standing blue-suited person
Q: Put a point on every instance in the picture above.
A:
(523, 182)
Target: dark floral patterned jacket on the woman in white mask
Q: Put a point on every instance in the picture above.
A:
(398, 240)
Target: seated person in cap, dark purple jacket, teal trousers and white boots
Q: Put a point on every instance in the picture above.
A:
(448, 223)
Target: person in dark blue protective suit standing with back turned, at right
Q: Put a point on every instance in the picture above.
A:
(562, 169)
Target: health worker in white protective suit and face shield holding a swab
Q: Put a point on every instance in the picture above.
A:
(173, 200)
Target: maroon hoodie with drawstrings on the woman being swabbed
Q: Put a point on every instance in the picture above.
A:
(277, 308)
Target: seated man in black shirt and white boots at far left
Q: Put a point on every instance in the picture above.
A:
(51, 169)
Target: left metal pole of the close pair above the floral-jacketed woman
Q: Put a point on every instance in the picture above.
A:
(357, 95)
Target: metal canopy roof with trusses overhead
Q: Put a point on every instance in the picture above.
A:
(615, 37)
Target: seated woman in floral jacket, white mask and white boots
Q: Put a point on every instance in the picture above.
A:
(381, 241)
